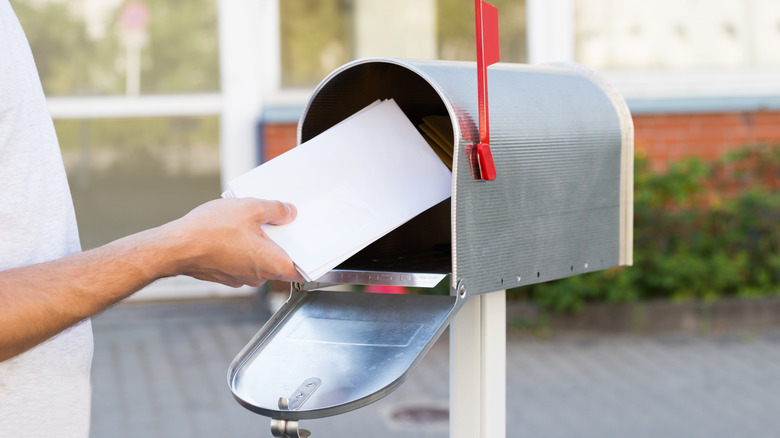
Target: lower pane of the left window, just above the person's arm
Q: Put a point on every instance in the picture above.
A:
(128, 175)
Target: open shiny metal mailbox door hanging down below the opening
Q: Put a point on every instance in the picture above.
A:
(360, 346)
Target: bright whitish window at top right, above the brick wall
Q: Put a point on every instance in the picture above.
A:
(677, 34)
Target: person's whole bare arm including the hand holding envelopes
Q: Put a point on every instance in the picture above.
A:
(219, 241)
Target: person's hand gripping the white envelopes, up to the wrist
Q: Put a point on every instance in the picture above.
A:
(222, 241)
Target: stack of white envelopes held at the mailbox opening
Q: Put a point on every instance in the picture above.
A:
(352, 184)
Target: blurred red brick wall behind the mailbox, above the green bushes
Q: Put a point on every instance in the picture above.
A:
(662, 137)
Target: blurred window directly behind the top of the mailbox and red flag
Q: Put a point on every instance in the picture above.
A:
(318, 36)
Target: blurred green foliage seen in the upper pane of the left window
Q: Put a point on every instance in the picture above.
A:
(181, 54)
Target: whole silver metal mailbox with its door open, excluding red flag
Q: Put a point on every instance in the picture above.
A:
(562, 141)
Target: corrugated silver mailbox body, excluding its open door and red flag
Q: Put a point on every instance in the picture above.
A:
(562, 142)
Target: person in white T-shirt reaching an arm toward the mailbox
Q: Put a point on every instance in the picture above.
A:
(49, 288)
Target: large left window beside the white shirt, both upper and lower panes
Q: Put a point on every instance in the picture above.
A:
(129, 174)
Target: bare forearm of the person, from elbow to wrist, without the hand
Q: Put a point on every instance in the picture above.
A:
(38, 301)
